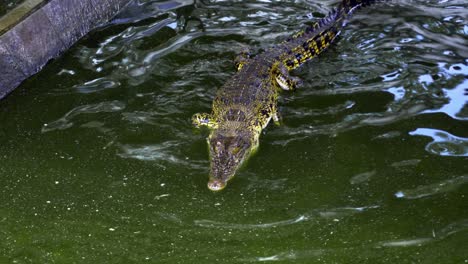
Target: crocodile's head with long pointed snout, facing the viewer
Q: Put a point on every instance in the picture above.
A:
(228, 150)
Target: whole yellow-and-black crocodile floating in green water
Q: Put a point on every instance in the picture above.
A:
(247, 102)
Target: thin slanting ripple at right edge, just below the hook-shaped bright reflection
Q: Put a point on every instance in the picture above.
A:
(432, 189)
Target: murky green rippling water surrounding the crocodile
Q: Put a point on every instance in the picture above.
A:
(100, 164)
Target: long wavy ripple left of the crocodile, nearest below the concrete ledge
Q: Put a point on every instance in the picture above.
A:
(65, 121)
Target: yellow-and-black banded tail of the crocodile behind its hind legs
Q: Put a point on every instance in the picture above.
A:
(312, 41)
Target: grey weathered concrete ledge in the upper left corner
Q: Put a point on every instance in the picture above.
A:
(40, 30)
